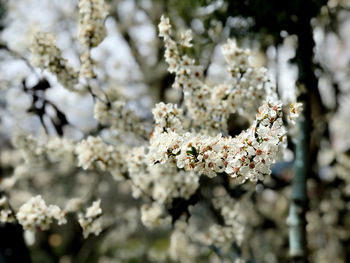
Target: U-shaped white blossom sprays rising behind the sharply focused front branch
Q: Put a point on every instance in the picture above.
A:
(210, 107)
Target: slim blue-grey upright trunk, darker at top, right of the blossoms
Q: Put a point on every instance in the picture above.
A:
(308, 85)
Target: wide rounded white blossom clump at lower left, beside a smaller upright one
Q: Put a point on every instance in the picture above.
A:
(35, 213)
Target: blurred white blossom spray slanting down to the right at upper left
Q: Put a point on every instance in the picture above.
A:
(46, 55)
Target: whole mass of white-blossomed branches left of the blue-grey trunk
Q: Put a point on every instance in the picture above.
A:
(178, 165)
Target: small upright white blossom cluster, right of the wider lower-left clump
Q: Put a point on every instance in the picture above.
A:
(89, 222)
